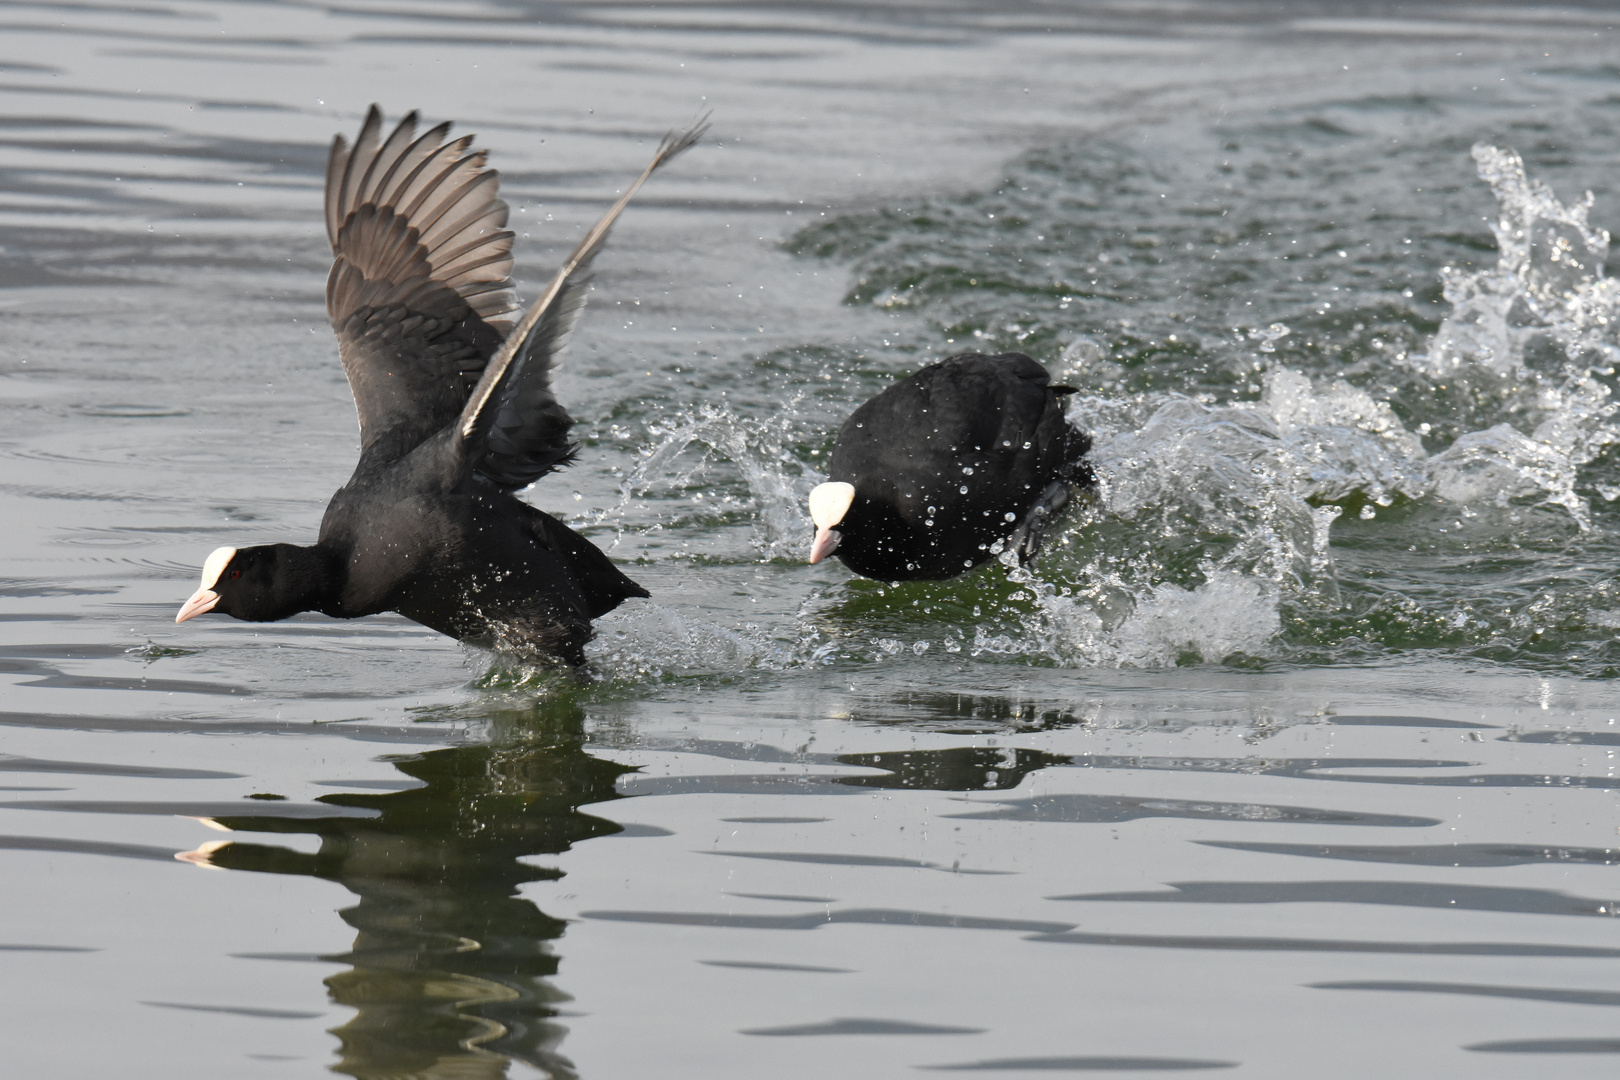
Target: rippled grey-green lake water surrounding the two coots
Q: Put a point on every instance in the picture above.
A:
(1295, 757)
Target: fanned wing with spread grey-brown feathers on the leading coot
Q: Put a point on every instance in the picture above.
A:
(420, 274)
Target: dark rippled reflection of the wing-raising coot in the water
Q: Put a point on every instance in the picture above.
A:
(451, 966)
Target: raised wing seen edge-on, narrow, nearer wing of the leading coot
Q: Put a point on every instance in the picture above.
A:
(513, 428)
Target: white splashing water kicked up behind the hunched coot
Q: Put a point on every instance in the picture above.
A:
(1213, 522)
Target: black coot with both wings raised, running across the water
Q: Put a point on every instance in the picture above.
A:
(456, 415)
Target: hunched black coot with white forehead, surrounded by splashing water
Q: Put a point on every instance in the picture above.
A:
(945, 470)
